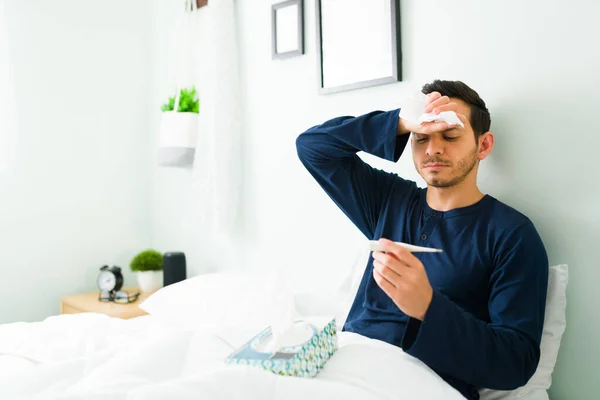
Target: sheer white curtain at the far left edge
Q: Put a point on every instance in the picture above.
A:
(8, 129)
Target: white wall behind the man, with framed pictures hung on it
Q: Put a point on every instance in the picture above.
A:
(535, 64)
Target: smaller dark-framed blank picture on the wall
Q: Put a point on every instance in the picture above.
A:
(287, 23)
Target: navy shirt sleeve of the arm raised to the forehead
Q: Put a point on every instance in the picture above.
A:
(329, 153)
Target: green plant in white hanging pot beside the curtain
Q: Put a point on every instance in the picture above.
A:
(179, 128)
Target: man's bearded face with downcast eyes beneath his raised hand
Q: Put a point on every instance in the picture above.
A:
(446, 158)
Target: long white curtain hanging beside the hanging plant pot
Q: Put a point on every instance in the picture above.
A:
(215, 197)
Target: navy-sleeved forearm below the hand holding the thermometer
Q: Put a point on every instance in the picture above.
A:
(469, 349)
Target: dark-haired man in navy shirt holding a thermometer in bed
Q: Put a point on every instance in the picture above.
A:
(473, 313)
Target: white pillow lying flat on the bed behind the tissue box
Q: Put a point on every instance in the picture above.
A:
(221, 300)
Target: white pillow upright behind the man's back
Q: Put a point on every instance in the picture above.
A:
(554, 327)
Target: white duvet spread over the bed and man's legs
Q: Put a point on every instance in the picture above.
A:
(92, 356)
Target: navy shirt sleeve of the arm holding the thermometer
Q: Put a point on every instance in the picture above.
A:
(500, 354)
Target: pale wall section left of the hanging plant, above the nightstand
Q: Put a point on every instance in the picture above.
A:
(79, 193)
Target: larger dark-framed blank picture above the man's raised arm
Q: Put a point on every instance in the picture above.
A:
(358, 44)
